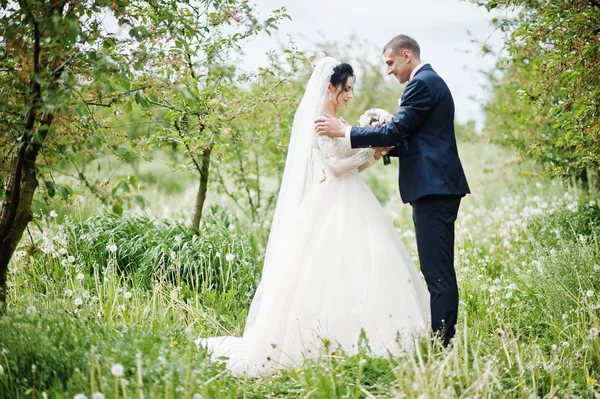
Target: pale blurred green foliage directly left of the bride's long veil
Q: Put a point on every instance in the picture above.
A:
(251, 162)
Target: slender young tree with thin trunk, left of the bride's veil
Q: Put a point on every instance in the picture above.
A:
(198, 85)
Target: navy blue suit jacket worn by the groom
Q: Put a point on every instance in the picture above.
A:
(422, 130)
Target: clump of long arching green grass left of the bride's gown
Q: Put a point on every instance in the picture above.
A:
(146, 250)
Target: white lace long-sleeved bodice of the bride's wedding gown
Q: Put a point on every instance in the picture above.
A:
(339, 158)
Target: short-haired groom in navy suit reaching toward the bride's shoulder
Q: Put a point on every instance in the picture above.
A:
(431, 176)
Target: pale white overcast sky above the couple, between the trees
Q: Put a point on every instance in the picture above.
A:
(440, 26)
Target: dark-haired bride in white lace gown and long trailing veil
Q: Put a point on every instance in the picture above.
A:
(319, 291)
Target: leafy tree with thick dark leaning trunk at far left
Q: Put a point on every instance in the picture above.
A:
(55, 60)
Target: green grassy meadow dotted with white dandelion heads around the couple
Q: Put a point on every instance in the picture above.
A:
(89, 295)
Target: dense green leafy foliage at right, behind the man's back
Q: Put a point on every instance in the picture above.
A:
(546, 103)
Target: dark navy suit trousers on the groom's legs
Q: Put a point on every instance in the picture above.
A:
(434, 217)
